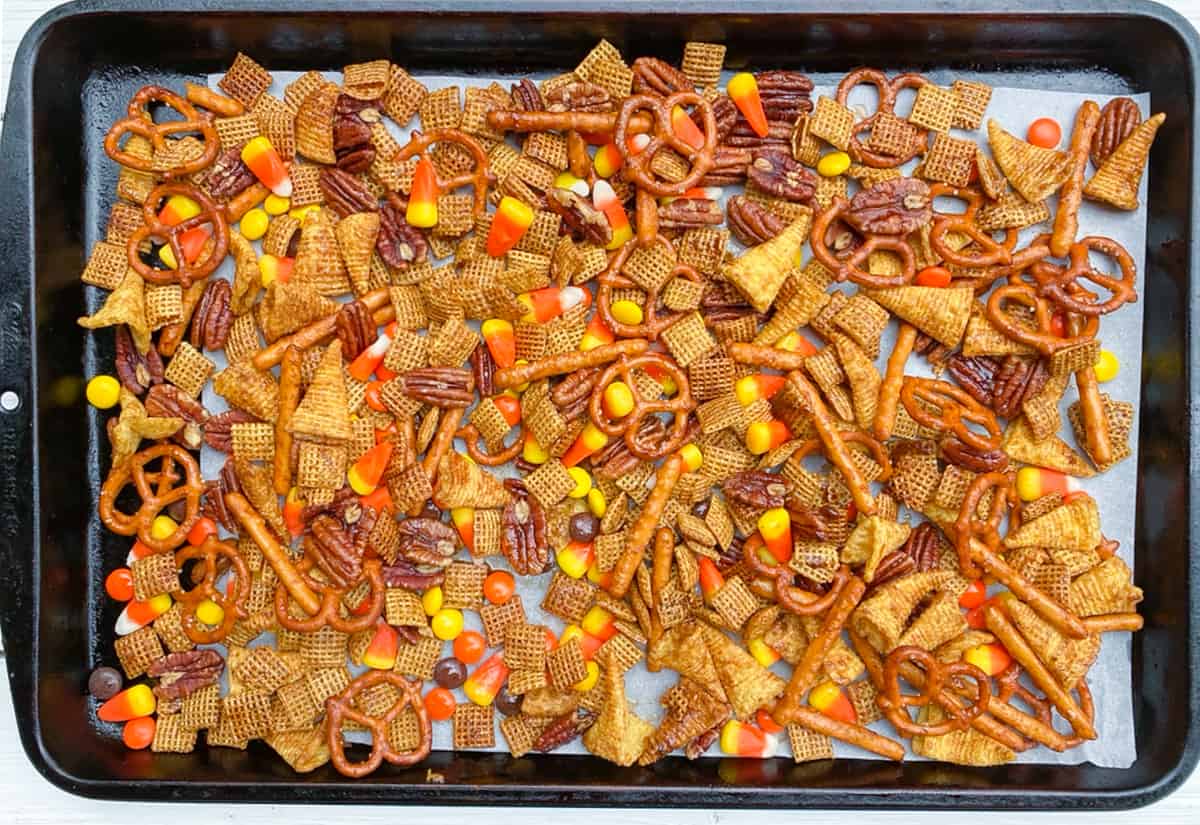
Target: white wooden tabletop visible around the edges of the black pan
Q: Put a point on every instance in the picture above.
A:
(31, 800)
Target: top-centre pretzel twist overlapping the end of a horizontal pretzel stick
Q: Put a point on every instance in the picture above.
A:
(637, 168)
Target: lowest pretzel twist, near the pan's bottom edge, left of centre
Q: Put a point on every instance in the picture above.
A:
(341, 708)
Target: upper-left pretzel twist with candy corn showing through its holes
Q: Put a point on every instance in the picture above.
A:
(185, 273)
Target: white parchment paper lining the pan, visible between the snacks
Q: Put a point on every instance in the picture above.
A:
(1111, 679)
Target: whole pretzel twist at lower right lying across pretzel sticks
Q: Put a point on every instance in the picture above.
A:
(956, 676)
